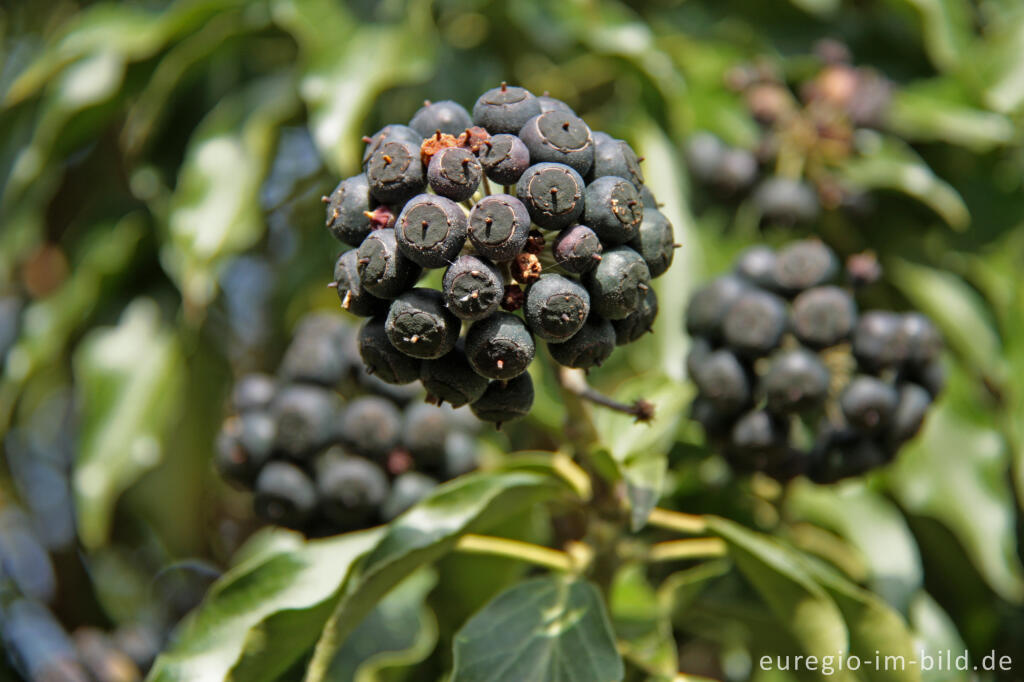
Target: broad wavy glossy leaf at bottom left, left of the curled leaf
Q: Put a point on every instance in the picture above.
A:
(297, 580)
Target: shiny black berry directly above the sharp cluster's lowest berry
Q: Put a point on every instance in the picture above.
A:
(500, 347)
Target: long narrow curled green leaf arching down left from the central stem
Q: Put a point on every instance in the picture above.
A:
(422, 535)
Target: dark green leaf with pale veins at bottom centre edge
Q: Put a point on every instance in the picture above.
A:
(552, 629)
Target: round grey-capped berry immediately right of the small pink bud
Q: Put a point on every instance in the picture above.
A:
(432, 231)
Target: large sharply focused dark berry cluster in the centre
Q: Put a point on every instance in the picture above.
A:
(523, 207)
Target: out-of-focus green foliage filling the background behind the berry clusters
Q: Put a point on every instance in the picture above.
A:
(161, 165)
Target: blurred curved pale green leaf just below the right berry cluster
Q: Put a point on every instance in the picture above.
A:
(872, 525)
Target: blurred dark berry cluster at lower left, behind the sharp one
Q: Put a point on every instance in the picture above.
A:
(326, 448)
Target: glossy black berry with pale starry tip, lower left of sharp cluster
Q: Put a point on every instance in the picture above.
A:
(420, 325)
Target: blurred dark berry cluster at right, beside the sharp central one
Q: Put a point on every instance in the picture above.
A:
(794, 380)
